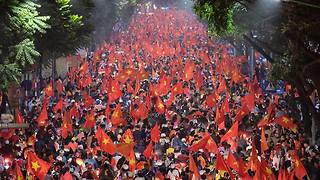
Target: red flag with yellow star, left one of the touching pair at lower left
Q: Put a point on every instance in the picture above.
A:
(105, 142)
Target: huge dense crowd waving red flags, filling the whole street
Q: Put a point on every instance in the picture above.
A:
(161, 100)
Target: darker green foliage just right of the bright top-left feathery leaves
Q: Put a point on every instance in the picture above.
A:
(68, 30)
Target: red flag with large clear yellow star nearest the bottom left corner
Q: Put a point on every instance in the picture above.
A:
(37, 166)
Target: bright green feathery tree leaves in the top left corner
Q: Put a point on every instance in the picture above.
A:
(20, 22)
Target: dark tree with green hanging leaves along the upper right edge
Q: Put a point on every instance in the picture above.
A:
(284, 32)
